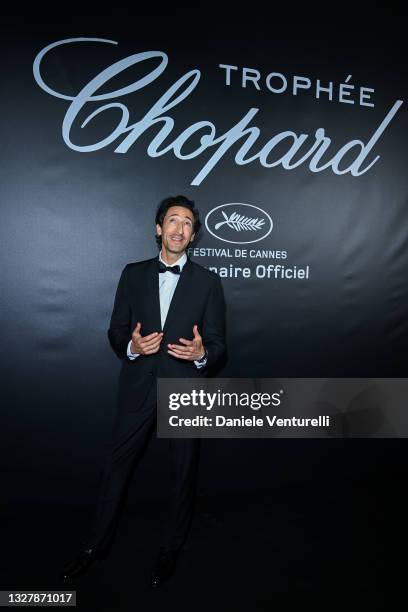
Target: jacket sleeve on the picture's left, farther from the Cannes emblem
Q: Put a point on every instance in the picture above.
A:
(119, 332)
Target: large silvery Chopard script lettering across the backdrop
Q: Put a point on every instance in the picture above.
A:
(287, 149)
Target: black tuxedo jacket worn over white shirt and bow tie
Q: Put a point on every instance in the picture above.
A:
(198, 299)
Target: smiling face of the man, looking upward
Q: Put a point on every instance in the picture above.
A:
(177, 230)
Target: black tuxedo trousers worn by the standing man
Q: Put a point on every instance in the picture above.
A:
(131, 433)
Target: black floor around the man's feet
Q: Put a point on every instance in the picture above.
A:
(293, 549)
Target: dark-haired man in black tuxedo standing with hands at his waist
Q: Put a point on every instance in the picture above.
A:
(168, 321)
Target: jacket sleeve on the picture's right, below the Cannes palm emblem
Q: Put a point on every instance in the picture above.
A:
(213, 332)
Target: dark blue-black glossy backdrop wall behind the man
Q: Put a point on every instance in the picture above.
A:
(72, 219)
